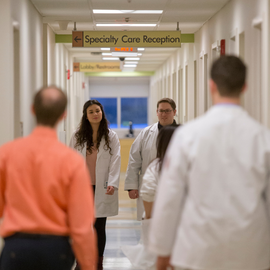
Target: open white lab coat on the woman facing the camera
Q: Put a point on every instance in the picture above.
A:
(107, 174)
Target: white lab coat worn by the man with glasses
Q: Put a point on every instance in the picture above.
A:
(142, 152)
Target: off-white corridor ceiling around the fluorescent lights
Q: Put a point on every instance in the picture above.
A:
(191, 15)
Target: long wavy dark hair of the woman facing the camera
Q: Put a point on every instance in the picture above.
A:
(85, 131)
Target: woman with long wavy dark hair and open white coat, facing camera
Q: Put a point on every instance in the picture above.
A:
(101, 149)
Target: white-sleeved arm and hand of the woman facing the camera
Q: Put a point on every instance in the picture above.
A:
(115, 165)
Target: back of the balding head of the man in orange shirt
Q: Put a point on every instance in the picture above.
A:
(48, 108)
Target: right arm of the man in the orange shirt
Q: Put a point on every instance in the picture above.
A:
(81, 217)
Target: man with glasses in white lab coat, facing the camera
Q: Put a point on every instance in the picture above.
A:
(144, 150)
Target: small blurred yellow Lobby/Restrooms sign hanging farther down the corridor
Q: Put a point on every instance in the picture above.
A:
(96, 67)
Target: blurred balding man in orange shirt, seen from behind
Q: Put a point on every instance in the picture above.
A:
(45, 196)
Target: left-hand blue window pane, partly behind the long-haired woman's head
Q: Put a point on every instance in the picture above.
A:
(110, 108)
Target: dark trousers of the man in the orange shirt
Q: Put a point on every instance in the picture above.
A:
(36, 253)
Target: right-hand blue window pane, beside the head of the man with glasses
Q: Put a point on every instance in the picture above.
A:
(135, 110)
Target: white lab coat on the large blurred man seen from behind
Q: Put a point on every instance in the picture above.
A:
(213, 201)
